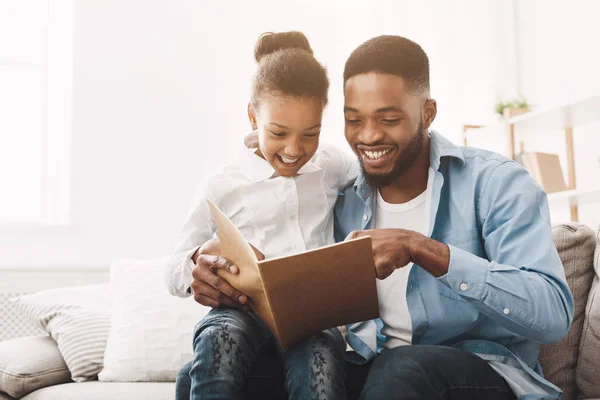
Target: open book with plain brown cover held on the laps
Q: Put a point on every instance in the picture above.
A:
(298, 295)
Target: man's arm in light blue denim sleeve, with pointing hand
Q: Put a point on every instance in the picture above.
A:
(522, 286)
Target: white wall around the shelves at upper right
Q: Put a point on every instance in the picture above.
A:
(560, 63)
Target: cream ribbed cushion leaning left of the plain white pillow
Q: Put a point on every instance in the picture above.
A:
(78, 319)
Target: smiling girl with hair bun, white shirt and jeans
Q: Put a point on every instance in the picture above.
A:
(280, 195)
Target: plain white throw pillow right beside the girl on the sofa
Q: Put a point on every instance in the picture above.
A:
(150, 337)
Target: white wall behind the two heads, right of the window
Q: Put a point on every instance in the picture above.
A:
(160, 93)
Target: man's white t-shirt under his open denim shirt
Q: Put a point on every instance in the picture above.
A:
(391, 292)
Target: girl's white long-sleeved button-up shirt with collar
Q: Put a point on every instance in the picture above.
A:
(277, 215)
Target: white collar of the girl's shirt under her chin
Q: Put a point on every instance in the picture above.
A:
(258, 169)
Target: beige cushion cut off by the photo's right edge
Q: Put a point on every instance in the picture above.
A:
(588, 369)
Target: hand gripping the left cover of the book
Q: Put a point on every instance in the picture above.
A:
(210, 289)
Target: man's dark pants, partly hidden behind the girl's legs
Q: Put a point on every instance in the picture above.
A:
(407, 372)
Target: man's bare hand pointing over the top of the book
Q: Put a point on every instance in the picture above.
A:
(396, 248)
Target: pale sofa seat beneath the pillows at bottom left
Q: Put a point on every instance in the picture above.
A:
(105, 391)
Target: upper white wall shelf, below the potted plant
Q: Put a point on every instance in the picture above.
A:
(557, 118)
